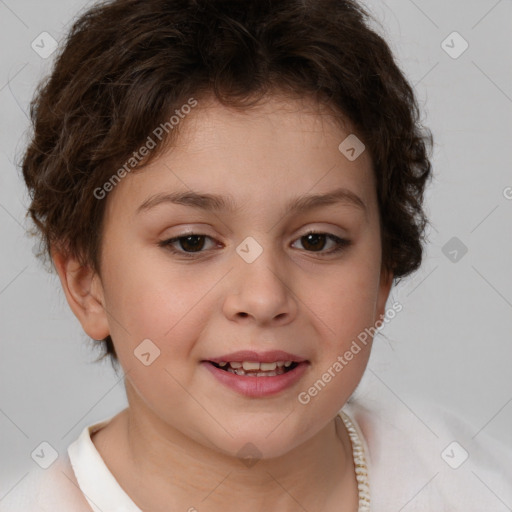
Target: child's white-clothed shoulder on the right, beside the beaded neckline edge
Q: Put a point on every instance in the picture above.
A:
(422, 456)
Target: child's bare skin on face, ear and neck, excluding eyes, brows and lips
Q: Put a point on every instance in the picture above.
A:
(176, 445)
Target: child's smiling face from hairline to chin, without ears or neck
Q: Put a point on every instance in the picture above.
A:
(207, 282)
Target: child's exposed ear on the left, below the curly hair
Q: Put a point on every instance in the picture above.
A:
(84, 293)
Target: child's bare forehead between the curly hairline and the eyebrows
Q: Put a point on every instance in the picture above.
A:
(280, 149)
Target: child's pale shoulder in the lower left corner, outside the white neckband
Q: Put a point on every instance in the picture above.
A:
(45, 490)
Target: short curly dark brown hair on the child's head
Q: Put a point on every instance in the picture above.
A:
(126, 65)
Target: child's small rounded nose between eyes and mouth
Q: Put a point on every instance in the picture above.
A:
(261, 291)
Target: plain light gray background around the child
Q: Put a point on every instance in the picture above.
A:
(451, 343)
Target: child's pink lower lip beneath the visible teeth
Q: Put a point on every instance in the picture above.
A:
(256, 387)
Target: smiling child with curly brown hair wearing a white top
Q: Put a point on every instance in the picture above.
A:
(228, 191)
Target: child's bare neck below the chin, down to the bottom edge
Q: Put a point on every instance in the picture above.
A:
(164, 469)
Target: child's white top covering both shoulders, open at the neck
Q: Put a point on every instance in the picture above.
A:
(420, 458)
